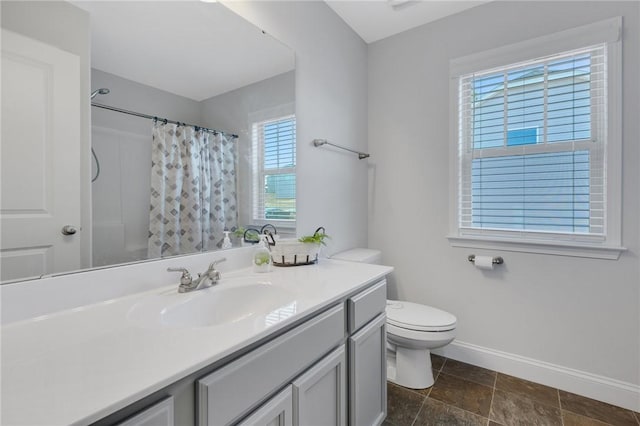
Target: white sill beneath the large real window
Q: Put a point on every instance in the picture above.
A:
(547, 247)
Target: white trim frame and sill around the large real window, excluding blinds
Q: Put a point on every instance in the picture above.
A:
(609, 246)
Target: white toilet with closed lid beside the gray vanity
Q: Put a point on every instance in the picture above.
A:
(412, 331)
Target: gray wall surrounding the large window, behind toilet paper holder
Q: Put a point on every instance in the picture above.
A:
(573, 312)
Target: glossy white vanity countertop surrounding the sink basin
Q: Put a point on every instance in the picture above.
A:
(80, 365)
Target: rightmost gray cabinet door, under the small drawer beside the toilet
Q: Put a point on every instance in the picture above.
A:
(368, 374)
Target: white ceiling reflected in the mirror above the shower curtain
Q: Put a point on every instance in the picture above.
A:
(188, 48)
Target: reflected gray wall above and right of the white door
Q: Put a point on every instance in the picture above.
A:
(65, 26)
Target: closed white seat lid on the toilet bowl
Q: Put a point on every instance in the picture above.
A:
(414, 316)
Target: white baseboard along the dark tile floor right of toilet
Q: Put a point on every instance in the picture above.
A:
(615, 392)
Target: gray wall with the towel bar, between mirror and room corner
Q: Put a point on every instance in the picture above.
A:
(331, 103)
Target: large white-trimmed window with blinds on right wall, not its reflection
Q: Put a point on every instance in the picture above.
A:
(534, 152)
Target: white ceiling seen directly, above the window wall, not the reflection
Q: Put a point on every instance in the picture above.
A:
(374, 20)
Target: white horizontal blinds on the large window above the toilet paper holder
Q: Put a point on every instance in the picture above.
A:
(532, 144)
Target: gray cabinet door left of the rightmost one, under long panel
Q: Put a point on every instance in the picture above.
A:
(319, 395)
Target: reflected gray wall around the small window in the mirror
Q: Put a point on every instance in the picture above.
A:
(230, 111)
